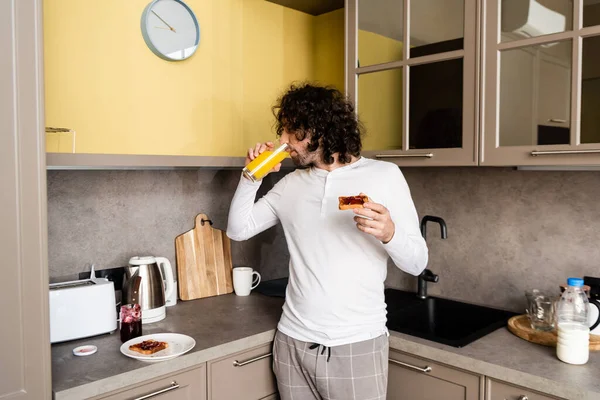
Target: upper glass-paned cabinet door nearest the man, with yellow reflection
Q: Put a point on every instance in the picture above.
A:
(412, 75)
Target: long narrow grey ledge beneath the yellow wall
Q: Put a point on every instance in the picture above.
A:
(69, 161)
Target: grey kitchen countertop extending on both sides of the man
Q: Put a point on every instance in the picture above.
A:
(228, 324)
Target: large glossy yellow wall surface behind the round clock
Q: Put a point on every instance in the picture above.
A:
(104, 82)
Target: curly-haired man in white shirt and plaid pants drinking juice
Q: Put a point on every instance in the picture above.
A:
(332, 342)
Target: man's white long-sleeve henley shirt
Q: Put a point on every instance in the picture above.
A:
(335, 293)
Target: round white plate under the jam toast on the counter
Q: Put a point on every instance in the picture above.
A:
(178, 345)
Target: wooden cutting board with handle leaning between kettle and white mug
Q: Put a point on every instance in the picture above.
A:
(204, 266)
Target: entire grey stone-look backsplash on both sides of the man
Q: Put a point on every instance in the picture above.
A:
(508, 230)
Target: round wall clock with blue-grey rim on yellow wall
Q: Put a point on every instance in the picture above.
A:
(170, 29)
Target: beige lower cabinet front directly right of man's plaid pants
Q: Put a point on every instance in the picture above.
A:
(413, 378)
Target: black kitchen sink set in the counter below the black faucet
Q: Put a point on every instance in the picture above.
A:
(445, 321)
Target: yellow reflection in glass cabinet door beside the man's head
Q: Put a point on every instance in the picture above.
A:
(379, 101)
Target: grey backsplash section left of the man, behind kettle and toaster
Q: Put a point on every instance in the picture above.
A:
(106, 217)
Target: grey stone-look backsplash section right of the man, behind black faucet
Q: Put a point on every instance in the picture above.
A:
(508, 231)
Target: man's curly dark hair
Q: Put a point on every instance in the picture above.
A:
(325, 115)
